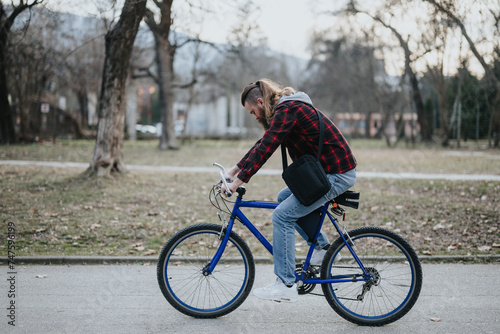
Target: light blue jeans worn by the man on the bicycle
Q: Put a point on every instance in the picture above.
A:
(284, 224)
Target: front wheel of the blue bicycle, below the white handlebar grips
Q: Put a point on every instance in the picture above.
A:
(181, 265)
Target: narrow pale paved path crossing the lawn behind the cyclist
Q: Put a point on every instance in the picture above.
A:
(359, 174)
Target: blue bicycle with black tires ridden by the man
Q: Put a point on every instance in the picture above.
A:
(369, 276)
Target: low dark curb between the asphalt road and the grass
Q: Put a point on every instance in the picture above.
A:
(48, 260)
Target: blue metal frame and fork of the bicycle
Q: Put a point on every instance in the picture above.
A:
(237, 214)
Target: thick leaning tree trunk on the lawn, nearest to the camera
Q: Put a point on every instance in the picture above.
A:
(108, 155)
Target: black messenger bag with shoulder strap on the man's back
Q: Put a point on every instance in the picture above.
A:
(305, 177)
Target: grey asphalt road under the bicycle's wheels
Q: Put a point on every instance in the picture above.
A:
(455, 298)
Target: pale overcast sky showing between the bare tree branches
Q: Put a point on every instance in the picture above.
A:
(287, 24)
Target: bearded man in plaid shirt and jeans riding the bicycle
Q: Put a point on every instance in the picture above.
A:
(289, 119)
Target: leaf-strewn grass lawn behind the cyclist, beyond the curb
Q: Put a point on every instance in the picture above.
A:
(58, 211)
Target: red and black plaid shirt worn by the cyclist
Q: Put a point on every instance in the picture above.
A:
(296, 125)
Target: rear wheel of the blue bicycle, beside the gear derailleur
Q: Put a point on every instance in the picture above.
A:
(396, 272)
